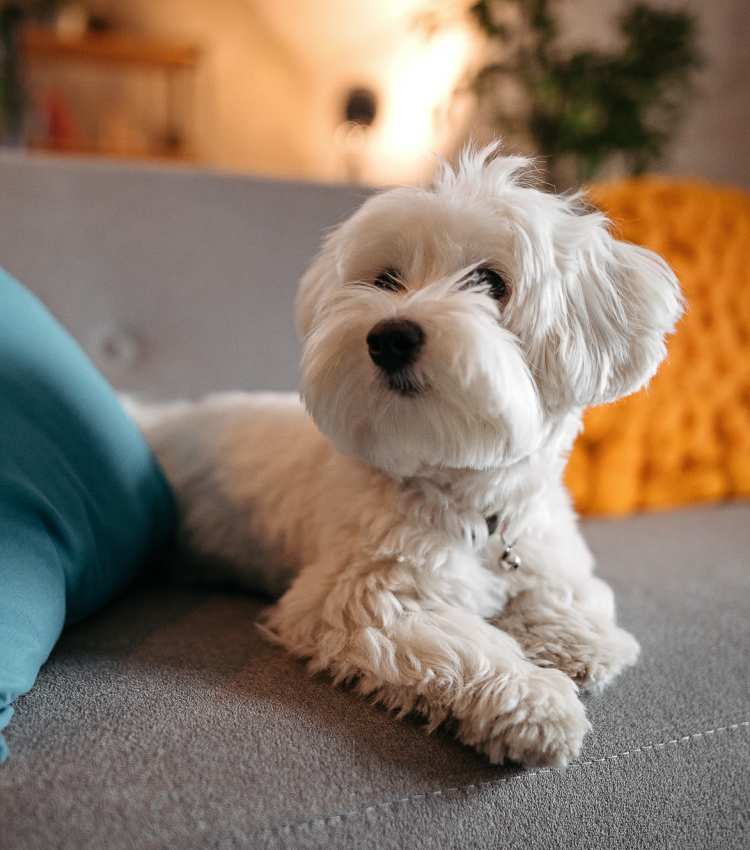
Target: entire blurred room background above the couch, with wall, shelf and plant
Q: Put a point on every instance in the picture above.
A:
(367, 92)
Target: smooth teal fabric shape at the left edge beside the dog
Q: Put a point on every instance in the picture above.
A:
(82, 500)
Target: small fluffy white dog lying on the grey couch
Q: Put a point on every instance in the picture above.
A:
(415, 521)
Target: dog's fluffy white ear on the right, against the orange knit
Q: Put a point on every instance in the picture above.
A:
(618, 303)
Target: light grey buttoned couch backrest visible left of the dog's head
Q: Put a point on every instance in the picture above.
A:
(176, 281)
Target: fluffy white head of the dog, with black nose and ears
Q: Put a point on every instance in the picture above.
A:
(454, 326)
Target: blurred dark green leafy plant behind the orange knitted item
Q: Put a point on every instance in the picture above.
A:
(587, 106)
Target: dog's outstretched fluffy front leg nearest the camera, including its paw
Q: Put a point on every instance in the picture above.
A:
(443, 662)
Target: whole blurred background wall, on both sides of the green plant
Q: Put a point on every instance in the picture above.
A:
(269, 91)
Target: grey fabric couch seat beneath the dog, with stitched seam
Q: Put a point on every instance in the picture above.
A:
(184, 729)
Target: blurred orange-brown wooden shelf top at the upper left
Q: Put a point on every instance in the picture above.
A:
(109, 49)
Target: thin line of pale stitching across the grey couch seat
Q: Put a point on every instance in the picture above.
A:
(323, 821)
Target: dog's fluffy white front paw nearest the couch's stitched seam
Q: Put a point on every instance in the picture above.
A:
(538, 721)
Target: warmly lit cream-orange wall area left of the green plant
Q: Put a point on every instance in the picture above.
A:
(270, 88)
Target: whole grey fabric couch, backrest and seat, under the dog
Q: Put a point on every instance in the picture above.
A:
(166, 722)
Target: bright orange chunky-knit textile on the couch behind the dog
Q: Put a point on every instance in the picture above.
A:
(686, 438)
